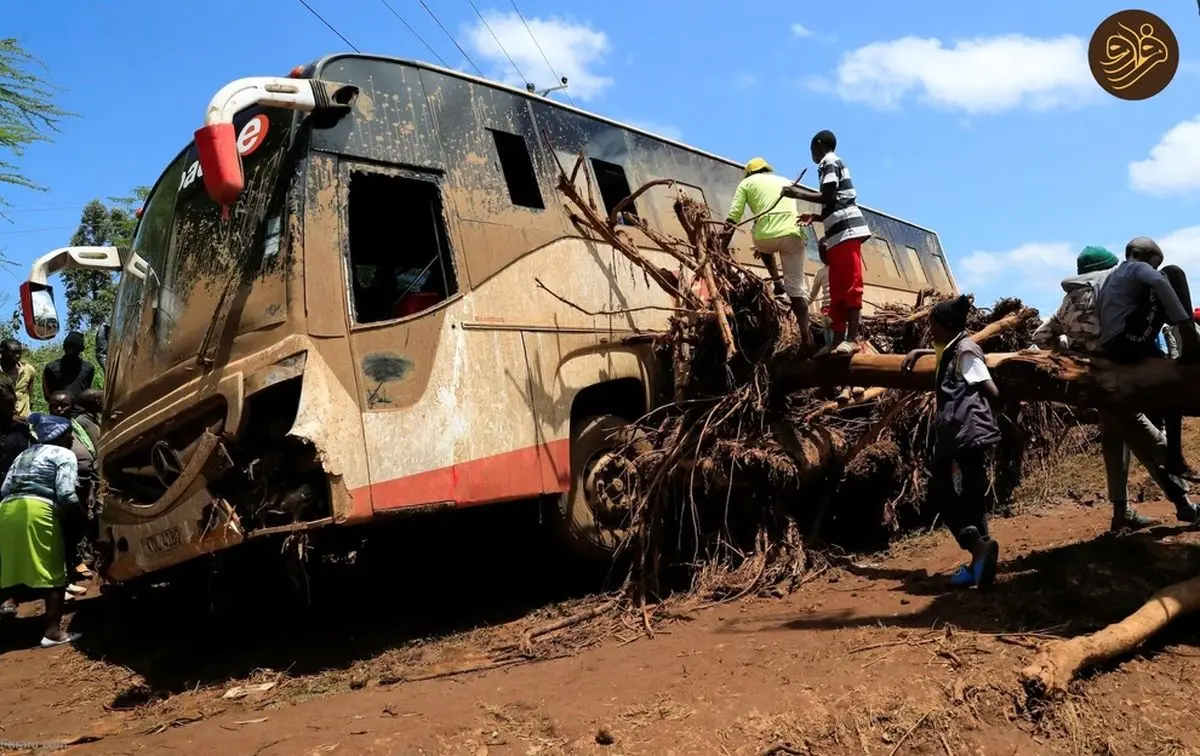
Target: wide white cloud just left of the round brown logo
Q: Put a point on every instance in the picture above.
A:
(985, 75)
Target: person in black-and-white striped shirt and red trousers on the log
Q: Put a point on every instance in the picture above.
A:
(845, 229)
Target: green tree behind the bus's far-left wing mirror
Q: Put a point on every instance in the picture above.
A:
(91, 293)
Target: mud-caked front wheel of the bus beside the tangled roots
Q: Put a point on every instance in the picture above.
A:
(579, 521)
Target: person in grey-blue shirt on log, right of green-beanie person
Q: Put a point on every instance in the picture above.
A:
(1135, 303)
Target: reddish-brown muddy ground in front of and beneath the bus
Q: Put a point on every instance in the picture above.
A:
(873, 657)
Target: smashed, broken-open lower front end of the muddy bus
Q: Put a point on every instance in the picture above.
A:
(193, 488)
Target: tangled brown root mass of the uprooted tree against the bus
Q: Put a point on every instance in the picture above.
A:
(730, 479)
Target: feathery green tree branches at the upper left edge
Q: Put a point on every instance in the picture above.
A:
(28, 113)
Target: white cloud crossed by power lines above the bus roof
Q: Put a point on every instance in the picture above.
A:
(574, 51)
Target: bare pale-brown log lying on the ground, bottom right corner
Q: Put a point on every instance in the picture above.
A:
(1059, 664)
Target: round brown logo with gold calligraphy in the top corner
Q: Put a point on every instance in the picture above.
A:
(1133, 55)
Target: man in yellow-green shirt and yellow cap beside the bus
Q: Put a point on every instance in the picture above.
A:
(776, 232)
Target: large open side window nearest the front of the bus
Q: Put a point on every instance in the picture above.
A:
(400, 255)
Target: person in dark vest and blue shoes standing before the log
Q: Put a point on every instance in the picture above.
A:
(965, 429)
